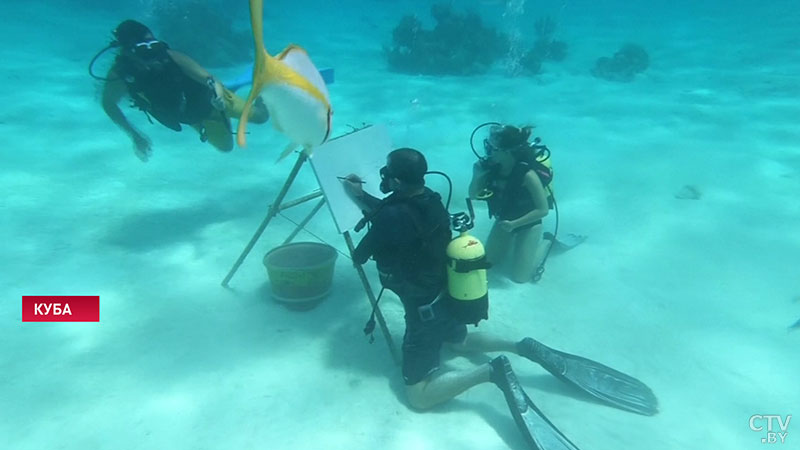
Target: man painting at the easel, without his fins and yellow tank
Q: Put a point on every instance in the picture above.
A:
(408, 238)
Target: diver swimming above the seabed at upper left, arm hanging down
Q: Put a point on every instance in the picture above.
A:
(170, 87)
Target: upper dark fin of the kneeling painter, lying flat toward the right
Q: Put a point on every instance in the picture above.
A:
(609, 385)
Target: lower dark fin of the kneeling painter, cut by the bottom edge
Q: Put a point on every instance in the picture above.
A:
(540, 433)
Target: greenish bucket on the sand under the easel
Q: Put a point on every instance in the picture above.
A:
(300, 273)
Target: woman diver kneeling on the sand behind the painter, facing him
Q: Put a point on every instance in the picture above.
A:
(515, 179)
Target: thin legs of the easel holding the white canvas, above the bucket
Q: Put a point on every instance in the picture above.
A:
(277, 206)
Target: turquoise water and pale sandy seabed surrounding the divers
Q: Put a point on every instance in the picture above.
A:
(694, 297)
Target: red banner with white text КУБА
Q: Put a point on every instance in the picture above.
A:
(60, 308)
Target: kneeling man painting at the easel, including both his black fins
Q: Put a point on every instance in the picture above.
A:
(408, 239)
